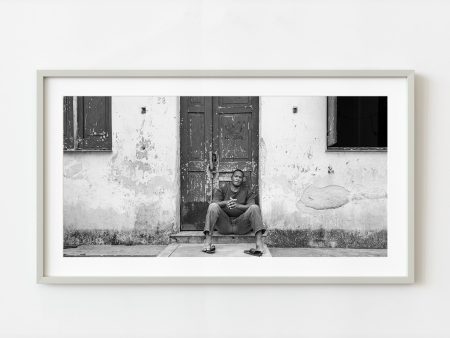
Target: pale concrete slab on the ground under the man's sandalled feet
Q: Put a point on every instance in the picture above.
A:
(222, 250)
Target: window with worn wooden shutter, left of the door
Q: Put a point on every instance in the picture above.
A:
(87, 123)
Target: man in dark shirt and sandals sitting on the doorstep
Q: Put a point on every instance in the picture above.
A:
(233, 211)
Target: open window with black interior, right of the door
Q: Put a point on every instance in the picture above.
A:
(357, 123)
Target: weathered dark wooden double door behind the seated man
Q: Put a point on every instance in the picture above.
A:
(218, 135)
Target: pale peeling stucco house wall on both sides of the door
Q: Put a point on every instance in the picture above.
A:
(136, 186)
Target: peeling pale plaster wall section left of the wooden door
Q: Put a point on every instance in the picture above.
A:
(136, 186)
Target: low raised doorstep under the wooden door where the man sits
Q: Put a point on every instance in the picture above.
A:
(197, 237)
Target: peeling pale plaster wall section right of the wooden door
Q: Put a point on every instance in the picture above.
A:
(302, 185)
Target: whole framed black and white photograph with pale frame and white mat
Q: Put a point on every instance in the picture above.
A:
(215, 176)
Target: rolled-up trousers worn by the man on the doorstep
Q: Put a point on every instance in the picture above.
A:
(218, 219)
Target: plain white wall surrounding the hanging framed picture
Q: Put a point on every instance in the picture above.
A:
(323, 34)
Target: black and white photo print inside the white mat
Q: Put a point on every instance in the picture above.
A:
(225, 176)
